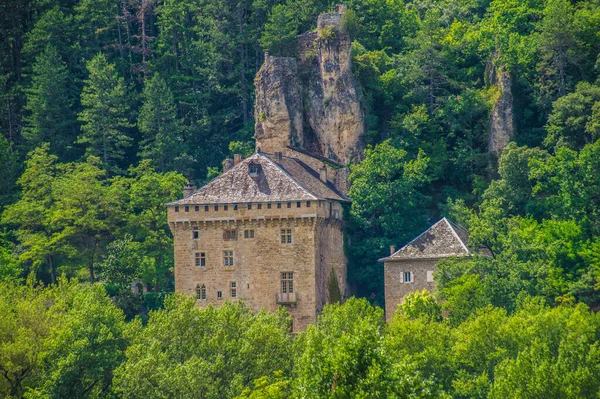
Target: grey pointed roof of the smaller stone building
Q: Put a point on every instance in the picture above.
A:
(442, 240)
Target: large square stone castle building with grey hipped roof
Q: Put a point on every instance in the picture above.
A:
(267, 231)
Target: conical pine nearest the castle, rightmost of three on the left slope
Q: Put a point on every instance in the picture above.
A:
(163, 141)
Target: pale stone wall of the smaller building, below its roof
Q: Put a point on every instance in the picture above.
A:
(396, 289)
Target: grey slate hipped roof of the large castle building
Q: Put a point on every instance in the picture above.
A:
(287, 180)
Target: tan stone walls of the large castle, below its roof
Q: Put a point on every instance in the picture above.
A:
(258, 261)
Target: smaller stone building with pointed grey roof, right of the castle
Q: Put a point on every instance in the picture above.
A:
(411, 268)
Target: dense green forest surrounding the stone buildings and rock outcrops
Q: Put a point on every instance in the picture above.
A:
(107, 107)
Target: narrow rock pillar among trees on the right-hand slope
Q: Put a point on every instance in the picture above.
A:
(501, 122)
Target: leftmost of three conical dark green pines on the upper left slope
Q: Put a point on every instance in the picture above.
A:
(49, 104)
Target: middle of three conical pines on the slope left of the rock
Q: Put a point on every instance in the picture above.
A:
(105, 123)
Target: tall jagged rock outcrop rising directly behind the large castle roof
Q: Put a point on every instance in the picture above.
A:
(312, 101)
